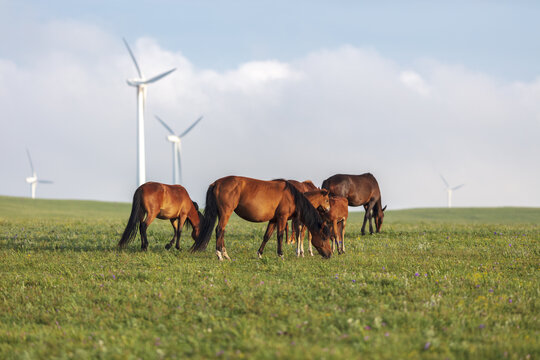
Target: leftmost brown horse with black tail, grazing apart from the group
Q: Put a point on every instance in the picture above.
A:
(164, 202)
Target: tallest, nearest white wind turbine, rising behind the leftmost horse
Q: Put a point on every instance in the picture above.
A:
(140, 83)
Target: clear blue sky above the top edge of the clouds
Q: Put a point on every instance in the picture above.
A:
(497, 37)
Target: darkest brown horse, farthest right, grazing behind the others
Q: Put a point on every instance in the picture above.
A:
(359, 190)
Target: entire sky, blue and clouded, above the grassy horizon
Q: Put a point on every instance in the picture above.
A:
(408, 91)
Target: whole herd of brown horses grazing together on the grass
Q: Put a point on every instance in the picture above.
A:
(322, 212)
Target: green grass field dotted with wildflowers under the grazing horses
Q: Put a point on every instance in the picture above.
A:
(436, 283)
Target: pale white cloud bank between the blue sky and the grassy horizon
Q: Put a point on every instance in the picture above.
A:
(340, 110)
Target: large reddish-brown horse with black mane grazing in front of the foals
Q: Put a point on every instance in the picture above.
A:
(255, 200)
